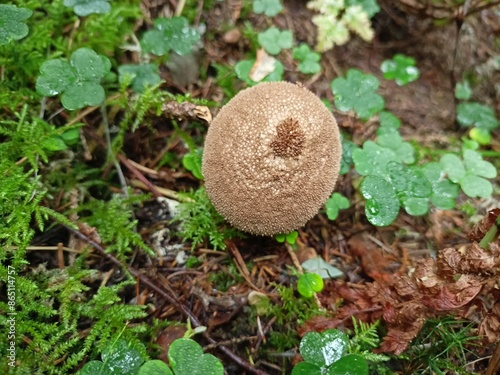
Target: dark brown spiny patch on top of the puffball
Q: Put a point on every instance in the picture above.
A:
(289, 140)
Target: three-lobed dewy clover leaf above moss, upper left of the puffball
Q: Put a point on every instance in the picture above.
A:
(78, 80)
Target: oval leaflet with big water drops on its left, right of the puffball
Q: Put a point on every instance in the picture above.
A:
(382, 204)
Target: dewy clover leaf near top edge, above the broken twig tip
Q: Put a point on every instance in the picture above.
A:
(170, 34)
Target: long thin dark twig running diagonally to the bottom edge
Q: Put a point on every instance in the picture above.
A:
(178, 306)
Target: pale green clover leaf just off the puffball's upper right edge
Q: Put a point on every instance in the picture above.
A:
(357, 92)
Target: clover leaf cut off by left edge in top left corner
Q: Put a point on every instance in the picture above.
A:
(12, 25)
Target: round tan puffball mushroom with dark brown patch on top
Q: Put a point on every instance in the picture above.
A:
(271, 158)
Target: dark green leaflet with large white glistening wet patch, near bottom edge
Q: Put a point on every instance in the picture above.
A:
(323, 349)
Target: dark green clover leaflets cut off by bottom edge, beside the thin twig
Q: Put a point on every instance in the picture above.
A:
(186, 357)
